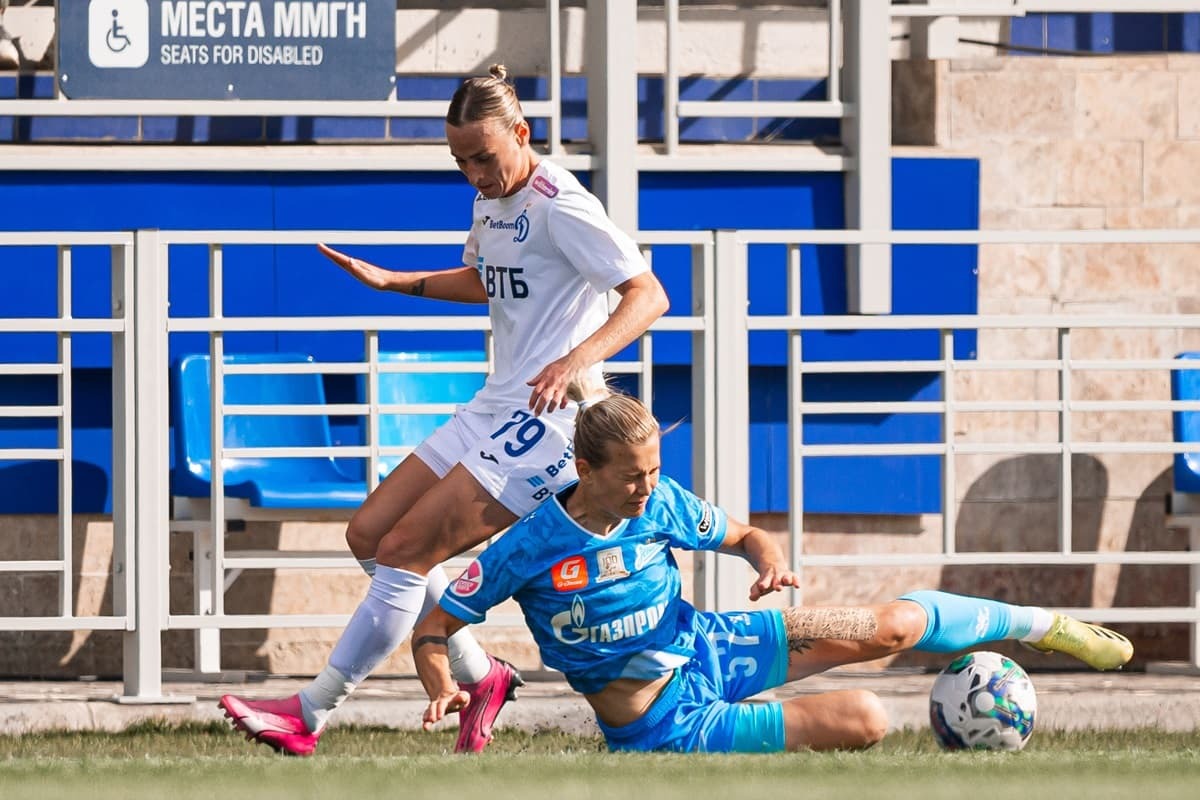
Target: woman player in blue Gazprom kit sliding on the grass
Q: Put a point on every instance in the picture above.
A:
(595, 576)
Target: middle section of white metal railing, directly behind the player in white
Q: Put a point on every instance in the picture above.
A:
(214, 563)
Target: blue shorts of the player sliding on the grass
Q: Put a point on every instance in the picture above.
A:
(737, 657)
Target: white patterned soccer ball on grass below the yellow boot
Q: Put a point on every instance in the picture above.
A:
(983, 701)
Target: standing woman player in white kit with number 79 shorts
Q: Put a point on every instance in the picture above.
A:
(544, 255)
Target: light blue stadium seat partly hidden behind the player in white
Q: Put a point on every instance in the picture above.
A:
(412, 388)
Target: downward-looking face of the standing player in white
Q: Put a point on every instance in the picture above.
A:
(495, 158)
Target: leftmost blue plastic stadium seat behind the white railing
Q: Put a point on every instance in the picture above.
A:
(308, 483)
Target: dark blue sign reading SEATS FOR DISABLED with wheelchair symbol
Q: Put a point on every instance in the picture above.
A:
(227, 50)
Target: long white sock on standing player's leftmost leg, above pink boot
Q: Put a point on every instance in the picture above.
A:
(383, 621)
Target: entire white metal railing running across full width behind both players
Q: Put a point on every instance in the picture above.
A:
(721, 327)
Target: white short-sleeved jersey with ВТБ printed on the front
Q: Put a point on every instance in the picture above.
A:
(548, 257)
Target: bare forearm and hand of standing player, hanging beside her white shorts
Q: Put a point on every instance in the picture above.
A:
(643, 302)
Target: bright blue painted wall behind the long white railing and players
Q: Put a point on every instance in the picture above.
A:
(299, 281)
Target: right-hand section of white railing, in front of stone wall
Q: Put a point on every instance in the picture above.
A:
(735, 323)
